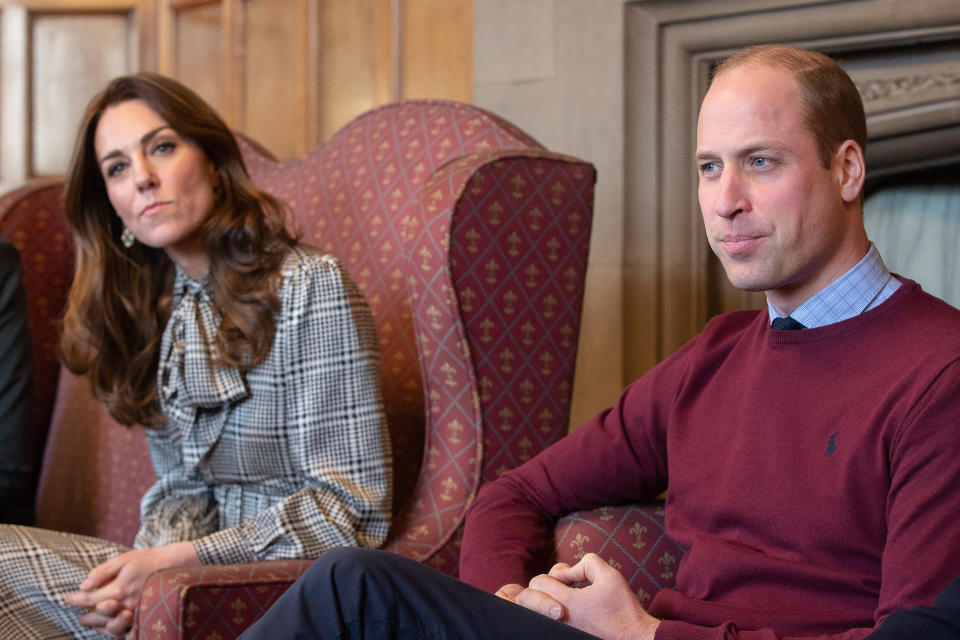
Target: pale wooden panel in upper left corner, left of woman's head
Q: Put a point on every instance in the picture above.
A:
(54, 55)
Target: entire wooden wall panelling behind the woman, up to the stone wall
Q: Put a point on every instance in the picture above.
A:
(286, 72)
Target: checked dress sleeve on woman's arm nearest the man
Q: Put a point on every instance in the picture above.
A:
(333, 424)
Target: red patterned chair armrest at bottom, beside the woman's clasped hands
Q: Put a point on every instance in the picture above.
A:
(212, 601)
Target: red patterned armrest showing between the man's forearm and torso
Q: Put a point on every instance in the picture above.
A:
(632, 538)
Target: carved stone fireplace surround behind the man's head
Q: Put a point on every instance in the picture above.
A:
(904, 57)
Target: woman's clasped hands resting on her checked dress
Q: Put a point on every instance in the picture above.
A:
(111, 590)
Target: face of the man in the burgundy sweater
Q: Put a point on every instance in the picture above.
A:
(775, 217)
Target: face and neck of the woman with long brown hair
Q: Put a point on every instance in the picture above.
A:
(159, 183)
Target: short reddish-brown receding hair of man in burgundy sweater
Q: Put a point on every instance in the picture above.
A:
(833, 110)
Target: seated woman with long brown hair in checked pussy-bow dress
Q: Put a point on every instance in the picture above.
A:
(251, 359)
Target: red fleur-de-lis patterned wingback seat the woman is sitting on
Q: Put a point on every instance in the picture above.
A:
(469, 241)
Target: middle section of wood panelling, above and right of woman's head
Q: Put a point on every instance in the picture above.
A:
(255, 61)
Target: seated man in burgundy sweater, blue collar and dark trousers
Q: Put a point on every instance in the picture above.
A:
(810, 471)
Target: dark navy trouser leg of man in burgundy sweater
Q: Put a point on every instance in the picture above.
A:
(362, 593)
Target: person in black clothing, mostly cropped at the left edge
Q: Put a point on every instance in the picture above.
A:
(16, 395)
